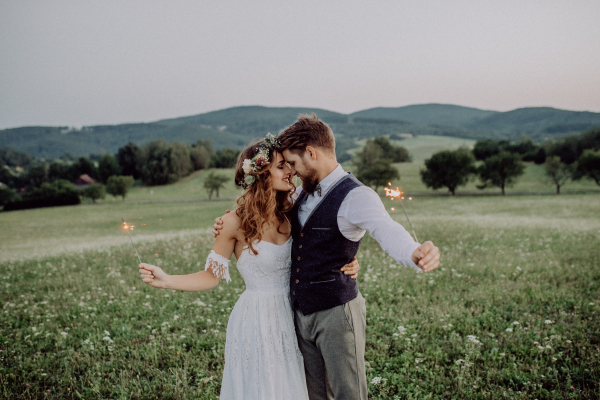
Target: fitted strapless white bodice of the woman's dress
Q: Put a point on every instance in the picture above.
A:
(269, 270)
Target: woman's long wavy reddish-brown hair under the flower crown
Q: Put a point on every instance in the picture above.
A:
(260, 201)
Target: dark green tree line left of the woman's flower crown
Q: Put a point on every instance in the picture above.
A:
(26, 182)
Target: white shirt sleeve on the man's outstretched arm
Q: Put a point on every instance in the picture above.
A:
(363, 211)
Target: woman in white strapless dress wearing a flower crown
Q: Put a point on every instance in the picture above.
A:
(262, 359)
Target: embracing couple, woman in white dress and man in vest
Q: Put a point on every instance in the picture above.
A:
(298, 330)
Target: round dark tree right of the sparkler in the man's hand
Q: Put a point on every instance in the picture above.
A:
(449, 169)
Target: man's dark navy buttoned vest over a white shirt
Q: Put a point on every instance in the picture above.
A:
(319, 250)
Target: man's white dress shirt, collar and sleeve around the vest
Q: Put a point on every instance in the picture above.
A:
(362, 210)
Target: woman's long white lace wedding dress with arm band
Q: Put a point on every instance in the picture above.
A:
(262, 359)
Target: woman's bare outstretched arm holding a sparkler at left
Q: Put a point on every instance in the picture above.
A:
(217, 265)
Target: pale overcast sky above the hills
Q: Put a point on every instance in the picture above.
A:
(103, 62)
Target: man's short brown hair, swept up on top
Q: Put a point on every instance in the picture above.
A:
(308, 130)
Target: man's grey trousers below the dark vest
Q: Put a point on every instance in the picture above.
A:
(332, 343)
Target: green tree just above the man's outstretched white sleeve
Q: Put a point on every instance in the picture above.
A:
(372, 168)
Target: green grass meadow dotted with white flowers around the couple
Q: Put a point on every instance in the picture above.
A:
(511, 313)
